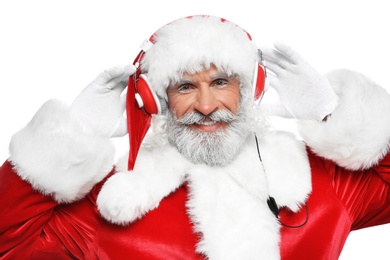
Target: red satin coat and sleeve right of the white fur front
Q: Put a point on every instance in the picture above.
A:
(341, 201)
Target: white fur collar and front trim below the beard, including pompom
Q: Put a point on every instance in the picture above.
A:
(227, 204)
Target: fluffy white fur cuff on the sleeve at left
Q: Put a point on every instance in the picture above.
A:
(53, 154)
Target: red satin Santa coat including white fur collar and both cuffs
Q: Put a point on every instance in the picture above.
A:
(168, 219)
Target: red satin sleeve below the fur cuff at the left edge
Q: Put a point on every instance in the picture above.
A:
(23, 213)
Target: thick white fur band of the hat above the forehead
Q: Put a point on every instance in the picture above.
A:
(191, 44)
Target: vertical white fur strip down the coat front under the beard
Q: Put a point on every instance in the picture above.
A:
(228, 206)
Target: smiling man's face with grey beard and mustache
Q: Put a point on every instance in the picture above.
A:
(204, 122)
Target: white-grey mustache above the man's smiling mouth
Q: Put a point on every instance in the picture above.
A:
(198, 118)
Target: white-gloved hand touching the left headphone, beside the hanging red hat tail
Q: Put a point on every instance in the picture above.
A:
(101, 105)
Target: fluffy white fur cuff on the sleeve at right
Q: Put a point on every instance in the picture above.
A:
(357, 133)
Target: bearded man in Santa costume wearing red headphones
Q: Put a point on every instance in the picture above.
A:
(206, 176)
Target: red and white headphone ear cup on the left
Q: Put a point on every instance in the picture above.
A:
(149, 100)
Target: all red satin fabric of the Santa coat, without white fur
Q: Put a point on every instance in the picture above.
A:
(35, 225)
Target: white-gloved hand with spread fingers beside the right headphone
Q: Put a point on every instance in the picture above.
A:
(303, 92)
